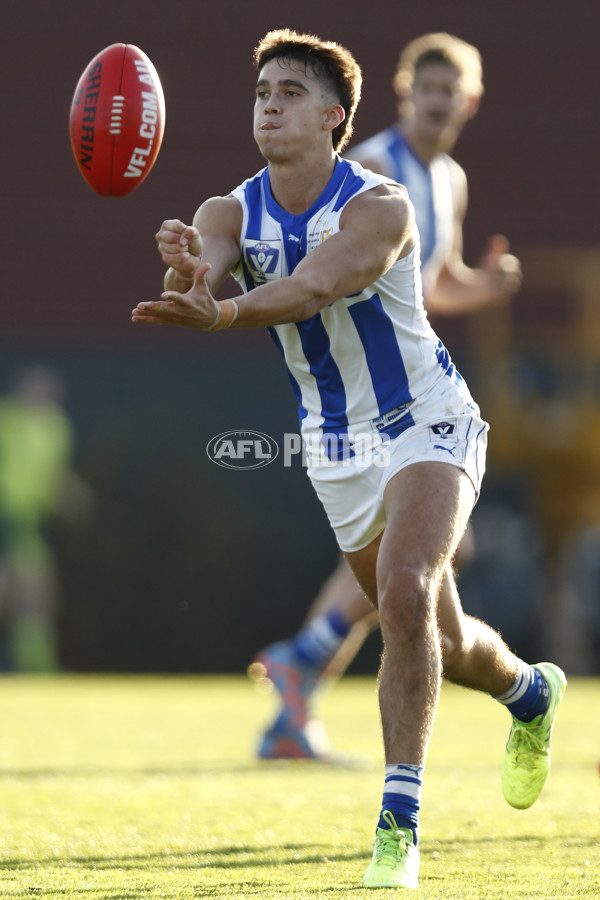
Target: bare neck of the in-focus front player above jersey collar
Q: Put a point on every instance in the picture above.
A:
(295, 186)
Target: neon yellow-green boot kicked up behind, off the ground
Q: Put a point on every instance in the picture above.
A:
(527, 756)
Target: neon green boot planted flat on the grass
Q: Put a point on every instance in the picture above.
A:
(395, 860)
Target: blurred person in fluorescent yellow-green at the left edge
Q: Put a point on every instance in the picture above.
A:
(37, 482)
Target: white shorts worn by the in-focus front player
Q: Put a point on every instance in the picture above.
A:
(447, 428)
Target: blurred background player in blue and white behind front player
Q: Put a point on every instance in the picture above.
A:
(439, 87)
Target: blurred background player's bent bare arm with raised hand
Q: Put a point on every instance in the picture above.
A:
(460, 289)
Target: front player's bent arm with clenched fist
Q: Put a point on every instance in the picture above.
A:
(213, 238)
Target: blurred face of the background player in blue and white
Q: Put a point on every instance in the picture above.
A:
(438, 100)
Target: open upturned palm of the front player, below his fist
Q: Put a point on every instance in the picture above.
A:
(197, 308)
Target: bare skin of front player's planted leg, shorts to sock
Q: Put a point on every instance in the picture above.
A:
(427, 508)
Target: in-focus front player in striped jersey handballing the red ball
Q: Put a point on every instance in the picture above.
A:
(327, 255)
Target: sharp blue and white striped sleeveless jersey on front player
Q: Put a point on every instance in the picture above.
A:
(364, 359)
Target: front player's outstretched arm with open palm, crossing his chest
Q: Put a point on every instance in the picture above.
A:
(376, 228)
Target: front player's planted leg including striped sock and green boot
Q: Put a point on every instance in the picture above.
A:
(427, 507)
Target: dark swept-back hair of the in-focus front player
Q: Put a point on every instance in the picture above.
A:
(331, 63)
